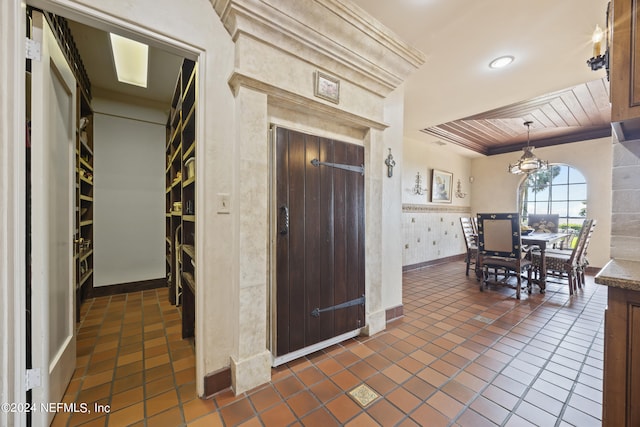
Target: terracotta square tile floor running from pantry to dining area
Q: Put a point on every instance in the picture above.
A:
(458, 357)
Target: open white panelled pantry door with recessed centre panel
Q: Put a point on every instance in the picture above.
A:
(52, 177)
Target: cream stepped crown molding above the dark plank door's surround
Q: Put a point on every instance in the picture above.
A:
(333, 34)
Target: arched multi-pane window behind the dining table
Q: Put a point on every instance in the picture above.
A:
(561, 189)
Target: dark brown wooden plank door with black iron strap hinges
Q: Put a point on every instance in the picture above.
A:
(320, 240)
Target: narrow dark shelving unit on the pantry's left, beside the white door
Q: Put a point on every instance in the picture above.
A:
(83, 252)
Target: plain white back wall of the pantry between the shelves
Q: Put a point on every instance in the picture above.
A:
(129, 192)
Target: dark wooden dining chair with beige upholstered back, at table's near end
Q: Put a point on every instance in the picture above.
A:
(499, 247)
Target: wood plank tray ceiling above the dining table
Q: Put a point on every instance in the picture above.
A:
(575, 114)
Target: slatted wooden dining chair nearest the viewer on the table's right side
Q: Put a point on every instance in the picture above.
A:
(566, 263)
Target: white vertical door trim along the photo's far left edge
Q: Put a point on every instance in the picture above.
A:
(12, 207)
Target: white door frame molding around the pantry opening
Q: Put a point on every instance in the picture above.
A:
(12, 162)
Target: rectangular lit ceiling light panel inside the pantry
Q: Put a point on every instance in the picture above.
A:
(131, 59)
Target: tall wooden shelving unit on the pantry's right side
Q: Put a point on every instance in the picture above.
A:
(181, 196)
